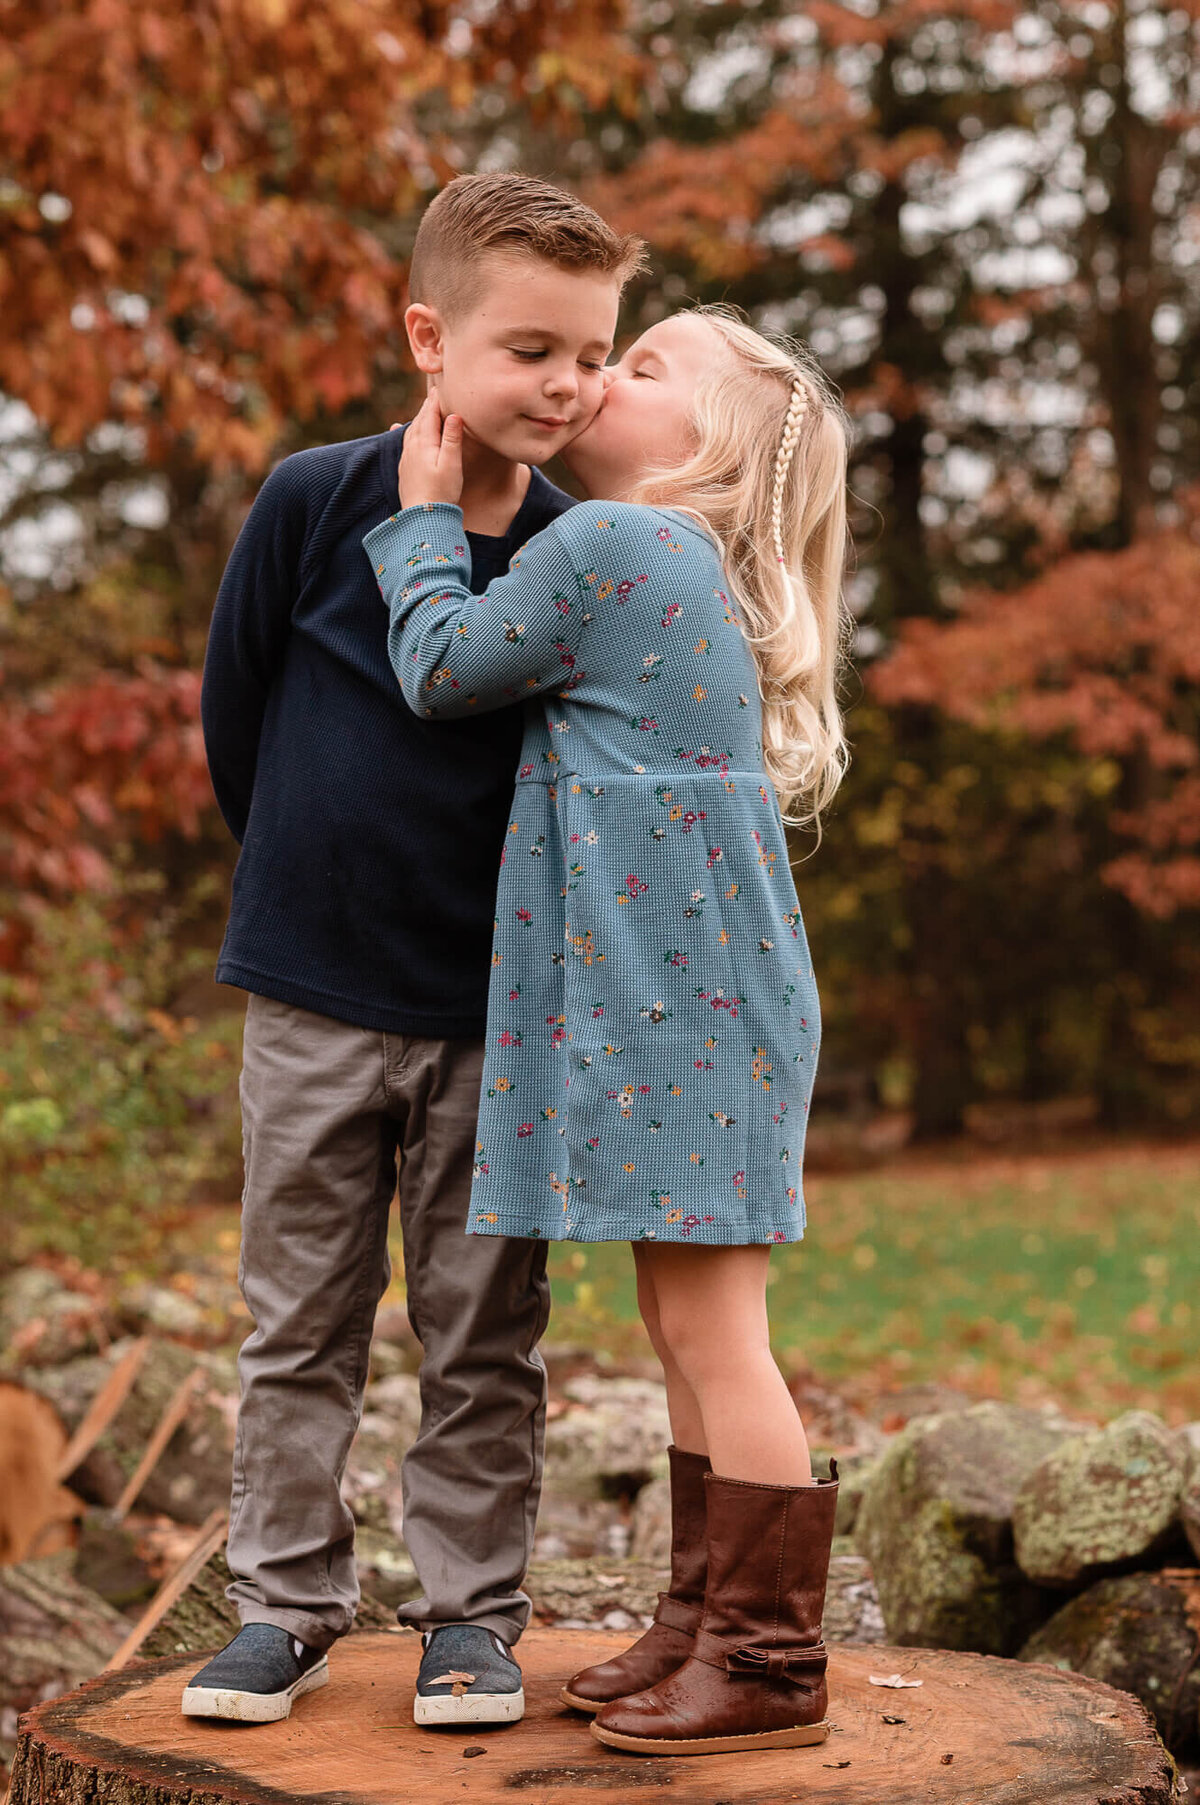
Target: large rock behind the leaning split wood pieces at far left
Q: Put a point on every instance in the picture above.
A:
(194, 1474)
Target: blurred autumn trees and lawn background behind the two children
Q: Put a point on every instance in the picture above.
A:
(984, 219)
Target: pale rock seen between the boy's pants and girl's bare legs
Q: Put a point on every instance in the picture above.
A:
(611, 1443)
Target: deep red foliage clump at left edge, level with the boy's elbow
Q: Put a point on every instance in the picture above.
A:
(118, 757)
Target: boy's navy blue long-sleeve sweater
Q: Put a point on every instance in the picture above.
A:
(371, 838)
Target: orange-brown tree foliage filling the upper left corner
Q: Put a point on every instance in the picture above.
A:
(185, 219)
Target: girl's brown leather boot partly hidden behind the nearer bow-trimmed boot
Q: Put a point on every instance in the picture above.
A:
(669, 1640)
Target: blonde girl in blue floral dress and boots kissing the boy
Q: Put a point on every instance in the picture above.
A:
(652, 1028)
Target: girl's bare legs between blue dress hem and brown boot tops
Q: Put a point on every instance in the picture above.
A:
(710, 1331)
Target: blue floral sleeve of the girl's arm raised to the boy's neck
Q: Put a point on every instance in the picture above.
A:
(459, 654)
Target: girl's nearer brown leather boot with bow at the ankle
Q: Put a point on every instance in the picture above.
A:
(755, 1678)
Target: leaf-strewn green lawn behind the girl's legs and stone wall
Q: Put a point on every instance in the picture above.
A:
(1073, 1277)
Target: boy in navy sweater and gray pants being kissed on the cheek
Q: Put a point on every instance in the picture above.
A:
(362, 927)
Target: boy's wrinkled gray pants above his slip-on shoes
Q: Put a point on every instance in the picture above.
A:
(329, 1113)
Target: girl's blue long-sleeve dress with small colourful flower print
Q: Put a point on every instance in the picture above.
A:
(652, 1015)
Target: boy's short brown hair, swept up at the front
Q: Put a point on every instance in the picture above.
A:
(512, 214)
